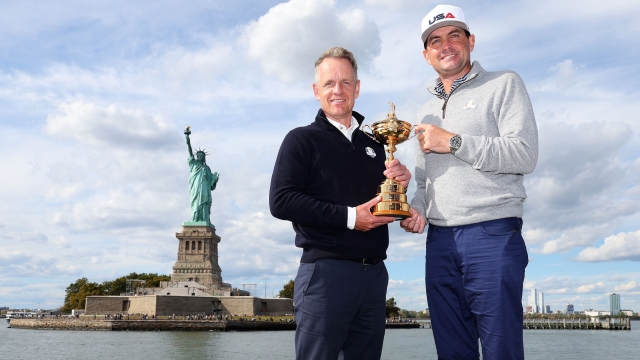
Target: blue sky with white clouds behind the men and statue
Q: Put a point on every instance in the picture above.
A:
(94, 98)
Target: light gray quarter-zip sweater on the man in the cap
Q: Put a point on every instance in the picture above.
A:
(483, 180)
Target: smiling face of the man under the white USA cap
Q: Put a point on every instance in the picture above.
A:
(449, 51)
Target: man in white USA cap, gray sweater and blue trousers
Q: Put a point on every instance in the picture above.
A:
(478, 138)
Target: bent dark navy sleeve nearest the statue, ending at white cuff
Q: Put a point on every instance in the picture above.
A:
(287, 197)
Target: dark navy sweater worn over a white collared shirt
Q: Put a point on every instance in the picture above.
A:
(317, 175)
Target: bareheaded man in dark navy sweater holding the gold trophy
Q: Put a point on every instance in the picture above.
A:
(323, 181)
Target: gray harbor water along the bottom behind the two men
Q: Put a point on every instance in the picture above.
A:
(399, 344)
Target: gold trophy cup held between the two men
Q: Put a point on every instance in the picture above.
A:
(390, 132)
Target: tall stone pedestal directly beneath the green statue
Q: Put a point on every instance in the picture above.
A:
(198, 256)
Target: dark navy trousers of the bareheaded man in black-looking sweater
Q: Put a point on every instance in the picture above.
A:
(340, 309)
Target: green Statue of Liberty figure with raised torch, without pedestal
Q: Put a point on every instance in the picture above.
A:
(201, 183)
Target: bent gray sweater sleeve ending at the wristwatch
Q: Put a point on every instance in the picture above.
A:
(515, 151)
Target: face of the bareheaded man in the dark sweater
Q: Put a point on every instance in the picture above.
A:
(337, 89)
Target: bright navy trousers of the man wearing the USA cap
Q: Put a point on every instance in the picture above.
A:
(474, 278)
